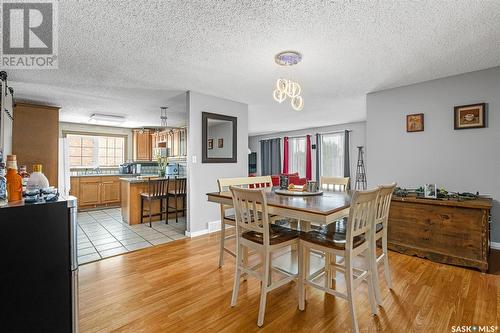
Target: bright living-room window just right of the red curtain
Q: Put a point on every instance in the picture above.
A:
(332, 155)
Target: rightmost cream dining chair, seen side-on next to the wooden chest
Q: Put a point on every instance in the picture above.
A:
(380, 226)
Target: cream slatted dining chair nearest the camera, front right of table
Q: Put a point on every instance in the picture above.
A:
(352, 241)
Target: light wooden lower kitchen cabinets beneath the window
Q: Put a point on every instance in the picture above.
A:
(96, 191)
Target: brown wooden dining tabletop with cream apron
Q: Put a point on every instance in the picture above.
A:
(319, 209)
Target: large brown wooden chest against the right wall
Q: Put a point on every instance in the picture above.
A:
(446, 231)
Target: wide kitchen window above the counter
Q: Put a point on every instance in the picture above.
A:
(90, 151)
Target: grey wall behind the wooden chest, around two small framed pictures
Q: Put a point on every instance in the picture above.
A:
(459, 160)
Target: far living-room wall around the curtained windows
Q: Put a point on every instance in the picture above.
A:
(357, 138)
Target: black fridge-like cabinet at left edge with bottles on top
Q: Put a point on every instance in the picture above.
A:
(39, 274)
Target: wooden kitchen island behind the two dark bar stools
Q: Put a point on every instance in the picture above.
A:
(131, 189)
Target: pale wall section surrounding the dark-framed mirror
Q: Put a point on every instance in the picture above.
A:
(203, 176)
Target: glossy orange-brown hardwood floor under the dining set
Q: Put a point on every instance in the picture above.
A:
(177, 287)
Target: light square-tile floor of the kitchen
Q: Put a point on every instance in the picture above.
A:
(102, 234)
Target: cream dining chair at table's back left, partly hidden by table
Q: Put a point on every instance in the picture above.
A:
(227, 218)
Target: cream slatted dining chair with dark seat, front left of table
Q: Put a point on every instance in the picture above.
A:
(254, 232)
